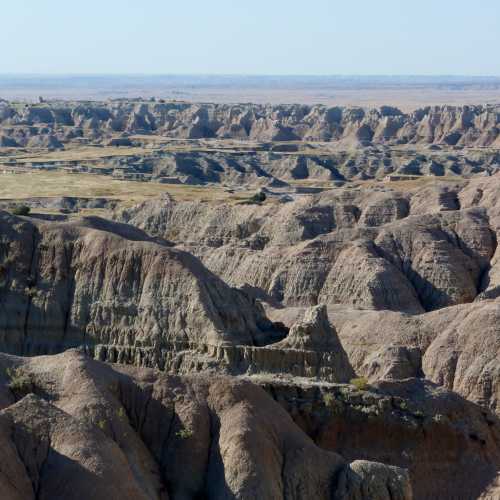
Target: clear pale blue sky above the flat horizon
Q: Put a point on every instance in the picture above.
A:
(321, 37)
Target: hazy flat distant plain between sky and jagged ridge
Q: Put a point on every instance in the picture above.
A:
(405, 92)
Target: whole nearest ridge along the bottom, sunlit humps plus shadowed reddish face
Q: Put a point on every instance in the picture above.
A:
(120, 432)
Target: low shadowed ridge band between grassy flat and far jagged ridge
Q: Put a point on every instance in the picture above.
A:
(317, 164)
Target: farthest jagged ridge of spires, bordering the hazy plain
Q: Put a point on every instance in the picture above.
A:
(50, 124)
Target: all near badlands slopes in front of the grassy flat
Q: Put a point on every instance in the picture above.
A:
(358, 310)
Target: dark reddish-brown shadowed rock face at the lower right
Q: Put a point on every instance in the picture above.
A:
(449, 446)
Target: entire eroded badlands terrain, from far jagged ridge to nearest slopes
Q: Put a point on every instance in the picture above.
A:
(333, 335)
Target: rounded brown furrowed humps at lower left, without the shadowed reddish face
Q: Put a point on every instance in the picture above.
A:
(94, 430)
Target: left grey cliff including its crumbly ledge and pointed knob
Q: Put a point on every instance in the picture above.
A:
(126, 297)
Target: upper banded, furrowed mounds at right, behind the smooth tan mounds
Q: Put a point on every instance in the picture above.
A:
(370, 247)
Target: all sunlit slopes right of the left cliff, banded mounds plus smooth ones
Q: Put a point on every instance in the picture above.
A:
(431, 249)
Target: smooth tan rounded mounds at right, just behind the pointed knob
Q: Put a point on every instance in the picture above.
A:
(457, 347)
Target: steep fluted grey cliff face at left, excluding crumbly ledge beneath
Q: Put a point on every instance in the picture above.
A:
(98, 282)
